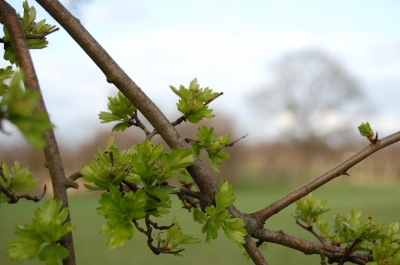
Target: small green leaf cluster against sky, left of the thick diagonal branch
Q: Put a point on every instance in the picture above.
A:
(120, 110)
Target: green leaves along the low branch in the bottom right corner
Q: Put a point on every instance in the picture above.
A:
(351, 229)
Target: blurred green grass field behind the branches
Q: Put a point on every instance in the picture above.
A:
(380, 202)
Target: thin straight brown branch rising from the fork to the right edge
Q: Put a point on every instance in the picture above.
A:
(317, 182)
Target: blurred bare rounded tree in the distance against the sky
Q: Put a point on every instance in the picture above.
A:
(308, 88)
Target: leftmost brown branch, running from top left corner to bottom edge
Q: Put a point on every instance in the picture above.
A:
(9, 19)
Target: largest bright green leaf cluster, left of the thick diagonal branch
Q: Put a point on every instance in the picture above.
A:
(142, 164)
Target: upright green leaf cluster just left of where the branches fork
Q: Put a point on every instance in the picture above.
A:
(219, 217)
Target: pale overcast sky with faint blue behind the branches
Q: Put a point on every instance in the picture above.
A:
(227, 45)
